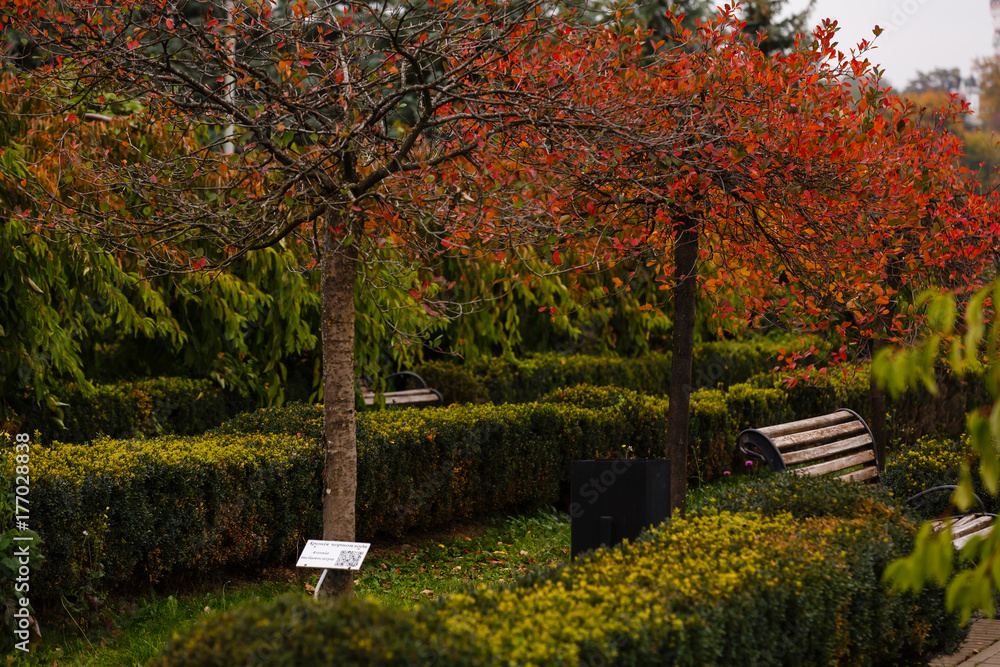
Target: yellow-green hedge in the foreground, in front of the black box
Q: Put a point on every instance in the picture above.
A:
(720, 588)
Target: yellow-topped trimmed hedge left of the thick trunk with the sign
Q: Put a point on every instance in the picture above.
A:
(135, 511)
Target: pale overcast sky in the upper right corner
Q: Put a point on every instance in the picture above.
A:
(919, 34)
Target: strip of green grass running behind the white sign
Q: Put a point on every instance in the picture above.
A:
(130, 632)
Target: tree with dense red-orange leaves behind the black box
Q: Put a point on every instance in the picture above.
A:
(793, 185)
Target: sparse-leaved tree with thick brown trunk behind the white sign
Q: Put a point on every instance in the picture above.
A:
(324, 124)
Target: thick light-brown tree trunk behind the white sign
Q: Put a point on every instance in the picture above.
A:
(339, 435)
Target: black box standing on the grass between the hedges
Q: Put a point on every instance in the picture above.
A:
(616, 499)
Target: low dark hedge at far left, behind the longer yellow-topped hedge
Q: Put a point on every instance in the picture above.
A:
(180, 406)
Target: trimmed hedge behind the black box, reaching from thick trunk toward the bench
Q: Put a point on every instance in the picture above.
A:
(488, 445)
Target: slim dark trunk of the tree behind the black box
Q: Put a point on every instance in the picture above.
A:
(685, 292)
